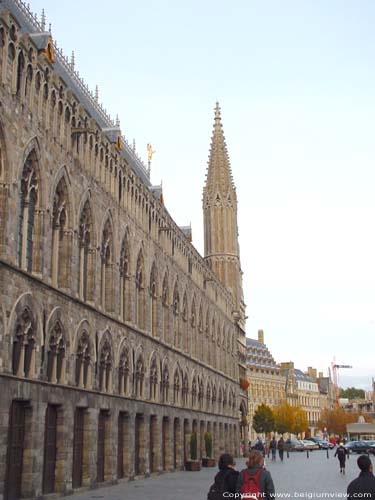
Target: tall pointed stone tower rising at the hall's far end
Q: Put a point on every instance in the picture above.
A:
(221, 249)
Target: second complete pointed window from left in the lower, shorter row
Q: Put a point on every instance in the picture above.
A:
(56, 355)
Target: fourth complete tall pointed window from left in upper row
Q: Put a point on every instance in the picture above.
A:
(107, 267)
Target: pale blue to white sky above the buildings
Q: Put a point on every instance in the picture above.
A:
(295, 81)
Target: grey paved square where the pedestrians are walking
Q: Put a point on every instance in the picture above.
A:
(297, 476)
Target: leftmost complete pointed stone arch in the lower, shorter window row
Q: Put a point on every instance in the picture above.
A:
(25, 335)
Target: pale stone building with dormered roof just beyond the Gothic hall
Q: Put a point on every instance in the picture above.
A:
(267, 384)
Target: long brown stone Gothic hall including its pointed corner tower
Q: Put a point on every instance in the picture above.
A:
(117, 338)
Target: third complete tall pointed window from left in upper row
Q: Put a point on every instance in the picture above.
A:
(85, 252)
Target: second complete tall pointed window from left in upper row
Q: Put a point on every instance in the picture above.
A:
(61, 236)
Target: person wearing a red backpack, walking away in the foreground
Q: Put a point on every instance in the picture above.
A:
(255, 481)
